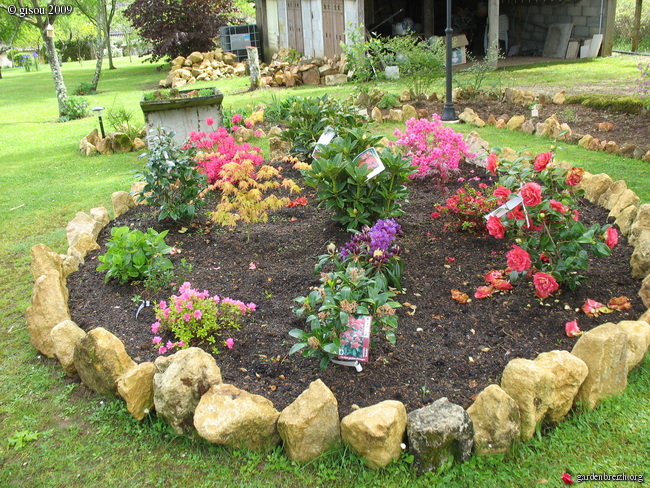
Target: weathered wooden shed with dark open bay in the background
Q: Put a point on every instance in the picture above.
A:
(315, 28)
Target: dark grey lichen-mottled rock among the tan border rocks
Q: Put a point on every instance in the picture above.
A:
(438, 433)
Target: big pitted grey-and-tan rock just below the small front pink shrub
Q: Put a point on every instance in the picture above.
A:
(179, 383)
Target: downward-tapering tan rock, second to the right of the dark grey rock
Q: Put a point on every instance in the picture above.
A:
(531, 386)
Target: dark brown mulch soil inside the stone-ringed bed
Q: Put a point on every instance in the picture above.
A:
(443, 348)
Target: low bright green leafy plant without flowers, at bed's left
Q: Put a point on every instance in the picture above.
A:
(133, 254)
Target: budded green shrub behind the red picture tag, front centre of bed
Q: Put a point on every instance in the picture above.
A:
(327, 309)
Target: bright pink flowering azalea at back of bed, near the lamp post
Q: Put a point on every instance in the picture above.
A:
(434, 149)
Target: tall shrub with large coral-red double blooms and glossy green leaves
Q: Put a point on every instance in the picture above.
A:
(553, 245)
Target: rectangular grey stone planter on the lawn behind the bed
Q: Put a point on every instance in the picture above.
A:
(183, 115)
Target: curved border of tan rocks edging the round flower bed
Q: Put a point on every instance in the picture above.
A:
(187, 390)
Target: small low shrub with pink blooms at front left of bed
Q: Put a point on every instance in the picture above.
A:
(196, 318)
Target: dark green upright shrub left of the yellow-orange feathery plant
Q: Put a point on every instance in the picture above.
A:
(172, 182)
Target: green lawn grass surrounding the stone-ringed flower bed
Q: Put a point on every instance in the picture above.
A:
(65, 435)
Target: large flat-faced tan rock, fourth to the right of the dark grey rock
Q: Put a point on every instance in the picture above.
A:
(604, 350)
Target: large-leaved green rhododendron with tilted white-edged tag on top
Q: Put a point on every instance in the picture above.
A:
(344, 188)
